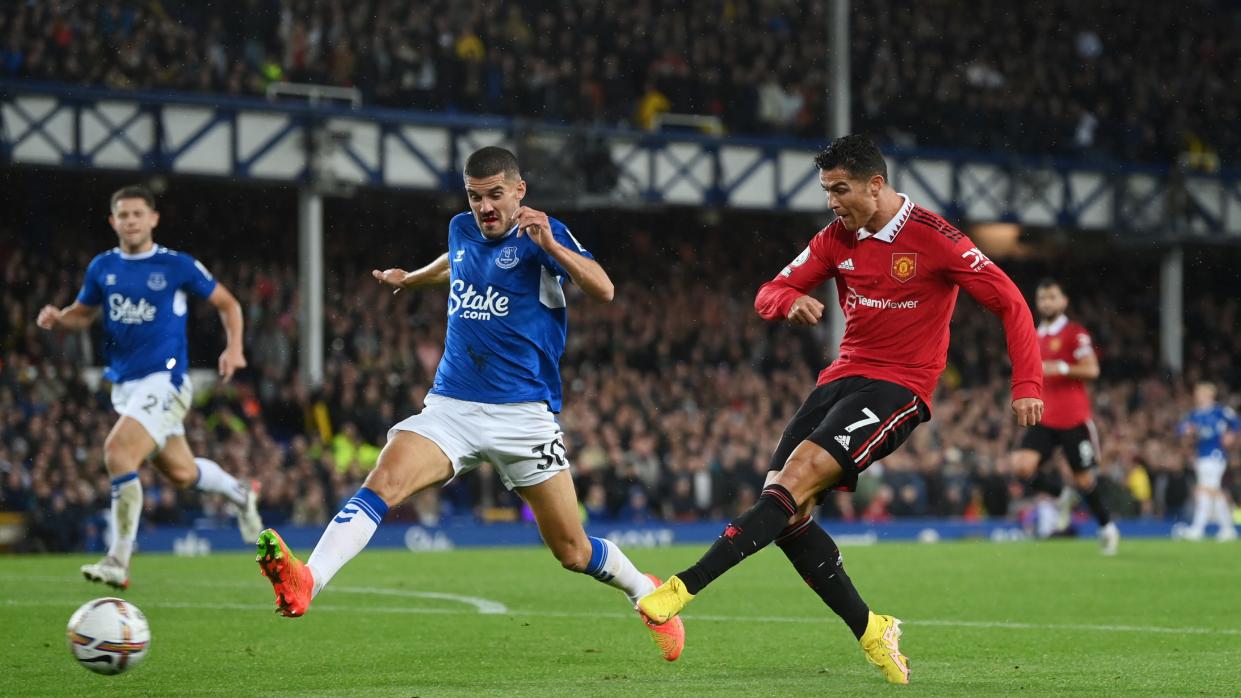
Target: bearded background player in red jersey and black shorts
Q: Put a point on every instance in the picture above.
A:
(1069, 362)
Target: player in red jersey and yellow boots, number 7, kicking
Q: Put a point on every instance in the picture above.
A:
(898, 270)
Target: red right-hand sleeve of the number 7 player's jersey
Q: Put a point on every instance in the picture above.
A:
(971, 270)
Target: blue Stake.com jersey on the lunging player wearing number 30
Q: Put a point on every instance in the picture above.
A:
(507, 317)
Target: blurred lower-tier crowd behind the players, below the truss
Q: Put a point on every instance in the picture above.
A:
(676, 394)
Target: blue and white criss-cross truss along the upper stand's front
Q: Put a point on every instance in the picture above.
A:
(338, 148)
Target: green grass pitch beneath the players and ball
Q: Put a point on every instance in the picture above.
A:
(1162, 619)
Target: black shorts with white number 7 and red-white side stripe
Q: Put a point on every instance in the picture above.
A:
(858, 420)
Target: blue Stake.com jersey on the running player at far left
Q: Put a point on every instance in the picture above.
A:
(145, 301)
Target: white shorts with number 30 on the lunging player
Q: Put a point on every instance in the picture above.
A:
(522, 440)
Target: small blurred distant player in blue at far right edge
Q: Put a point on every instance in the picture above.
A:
(1213, 428)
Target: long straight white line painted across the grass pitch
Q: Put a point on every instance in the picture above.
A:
(400, 610)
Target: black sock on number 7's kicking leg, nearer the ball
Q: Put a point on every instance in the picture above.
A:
(750, 533)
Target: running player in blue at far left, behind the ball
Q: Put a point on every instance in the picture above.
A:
(143, 290)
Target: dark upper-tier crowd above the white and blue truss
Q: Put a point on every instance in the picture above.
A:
(1055, 78)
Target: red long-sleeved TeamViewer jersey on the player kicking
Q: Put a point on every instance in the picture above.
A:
(898, 289)
